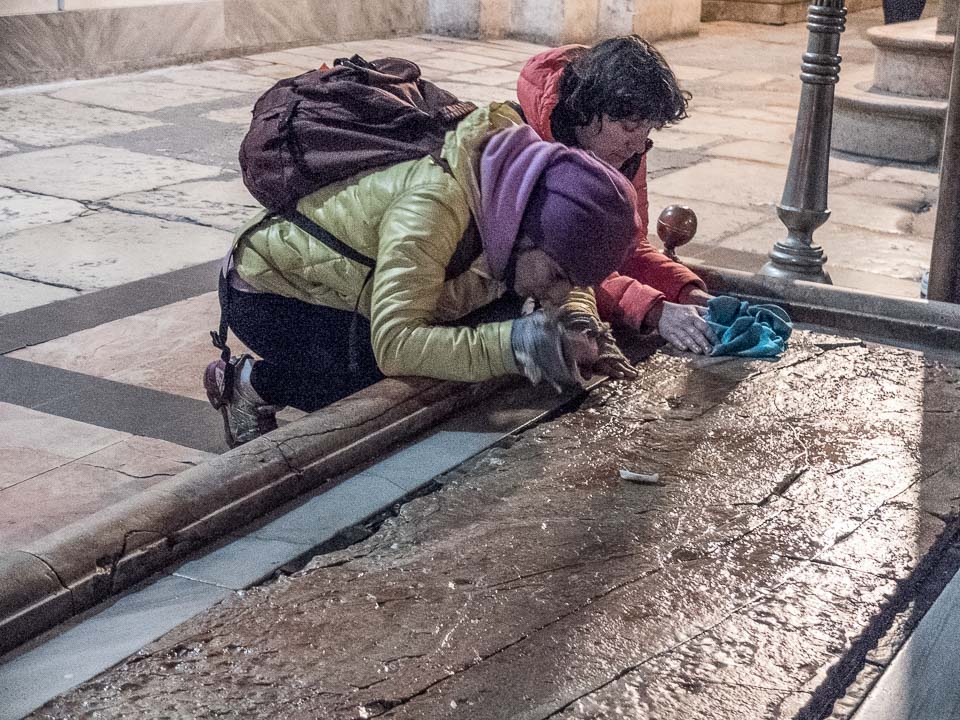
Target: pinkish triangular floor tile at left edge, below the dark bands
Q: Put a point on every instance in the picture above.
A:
(33, 442)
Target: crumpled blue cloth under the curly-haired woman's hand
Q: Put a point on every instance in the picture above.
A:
(747, 330)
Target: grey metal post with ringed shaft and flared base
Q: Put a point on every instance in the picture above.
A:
(803, 207)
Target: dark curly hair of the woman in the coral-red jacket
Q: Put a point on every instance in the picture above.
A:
(623, 78)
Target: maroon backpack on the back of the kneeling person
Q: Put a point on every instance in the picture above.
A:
(328, 124)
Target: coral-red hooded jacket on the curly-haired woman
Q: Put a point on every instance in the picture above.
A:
(647, 275)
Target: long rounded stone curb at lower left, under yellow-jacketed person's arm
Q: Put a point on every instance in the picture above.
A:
(66, 572)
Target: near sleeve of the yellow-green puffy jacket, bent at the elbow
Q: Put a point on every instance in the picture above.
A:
(418, 235)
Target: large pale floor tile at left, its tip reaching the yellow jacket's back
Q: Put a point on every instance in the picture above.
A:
(108, 248)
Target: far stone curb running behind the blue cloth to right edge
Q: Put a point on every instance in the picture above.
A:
(903, 320)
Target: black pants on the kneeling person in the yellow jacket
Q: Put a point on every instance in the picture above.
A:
(305, 348)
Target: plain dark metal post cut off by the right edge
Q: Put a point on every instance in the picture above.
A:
(944, 283)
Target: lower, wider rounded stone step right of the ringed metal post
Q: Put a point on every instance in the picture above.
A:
(870, 122)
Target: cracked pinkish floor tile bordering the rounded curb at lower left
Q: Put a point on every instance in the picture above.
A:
(69, 492)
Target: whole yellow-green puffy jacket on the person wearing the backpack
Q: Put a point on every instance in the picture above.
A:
(409, 217)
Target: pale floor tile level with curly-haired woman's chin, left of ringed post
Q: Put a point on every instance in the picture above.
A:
(724, 181)
